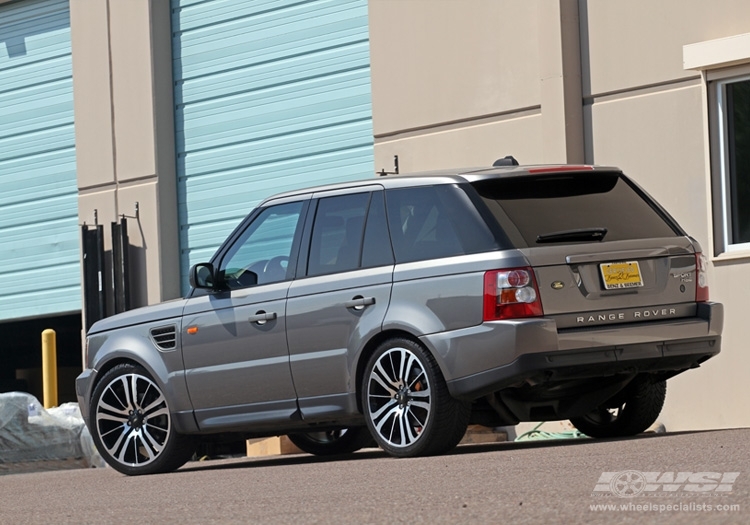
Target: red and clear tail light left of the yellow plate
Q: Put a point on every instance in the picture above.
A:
(511, 294)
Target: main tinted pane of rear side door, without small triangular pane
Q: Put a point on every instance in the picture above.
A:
(336, 243)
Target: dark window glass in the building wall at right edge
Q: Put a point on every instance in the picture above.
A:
(736, 160)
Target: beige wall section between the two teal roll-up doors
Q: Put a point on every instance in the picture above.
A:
(125, 133)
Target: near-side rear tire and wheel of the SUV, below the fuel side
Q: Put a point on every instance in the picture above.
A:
(406, 402)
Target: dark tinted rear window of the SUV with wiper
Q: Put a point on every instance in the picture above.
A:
(569, 208)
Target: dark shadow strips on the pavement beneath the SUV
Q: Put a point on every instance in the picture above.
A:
(372, 453)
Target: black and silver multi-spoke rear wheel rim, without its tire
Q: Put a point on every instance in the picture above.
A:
(399, 397)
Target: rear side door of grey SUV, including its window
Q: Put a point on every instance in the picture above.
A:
(339, 298)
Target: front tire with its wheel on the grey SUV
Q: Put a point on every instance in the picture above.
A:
(131, 424)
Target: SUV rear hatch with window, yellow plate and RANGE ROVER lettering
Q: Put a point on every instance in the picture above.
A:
(602, 250)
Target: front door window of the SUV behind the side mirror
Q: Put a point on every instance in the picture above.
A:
(261, 255)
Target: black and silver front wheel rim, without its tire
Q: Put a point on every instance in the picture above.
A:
(132, 420)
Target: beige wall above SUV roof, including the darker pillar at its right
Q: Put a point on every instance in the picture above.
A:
(464, 83)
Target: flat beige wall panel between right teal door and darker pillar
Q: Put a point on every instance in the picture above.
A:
(445, 91)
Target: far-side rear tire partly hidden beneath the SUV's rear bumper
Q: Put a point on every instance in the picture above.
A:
(628, 413)
